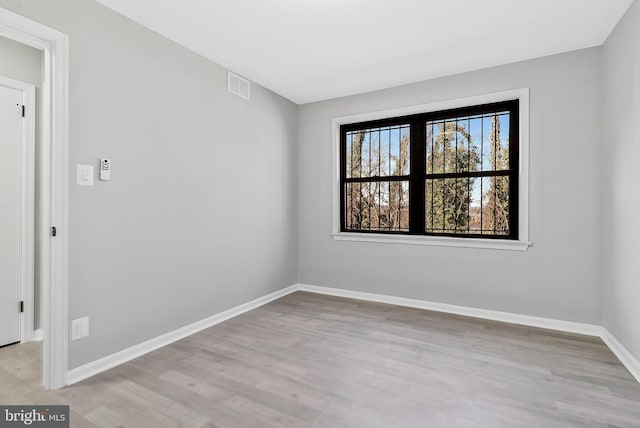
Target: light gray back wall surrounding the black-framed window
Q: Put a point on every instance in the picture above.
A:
(558, 277)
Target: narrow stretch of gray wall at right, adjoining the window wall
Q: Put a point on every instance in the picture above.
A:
(621, 59)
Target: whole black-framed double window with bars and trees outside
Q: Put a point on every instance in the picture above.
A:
(451, 173)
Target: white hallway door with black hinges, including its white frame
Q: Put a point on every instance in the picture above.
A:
(17, 210)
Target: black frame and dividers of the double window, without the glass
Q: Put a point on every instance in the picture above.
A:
(418, 176)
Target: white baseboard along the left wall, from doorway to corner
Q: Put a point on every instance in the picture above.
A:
(90, 369)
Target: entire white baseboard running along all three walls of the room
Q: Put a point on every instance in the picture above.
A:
(110, 361)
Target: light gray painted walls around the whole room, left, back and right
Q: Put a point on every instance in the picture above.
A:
(200, 214)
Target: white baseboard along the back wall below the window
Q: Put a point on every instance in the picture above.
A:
(531, 321)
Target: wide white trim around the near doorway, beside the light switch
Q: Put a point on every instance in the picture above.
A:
(54, 188)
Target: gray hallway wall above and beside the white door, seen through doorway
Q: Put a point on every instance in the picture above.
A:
(24, 63)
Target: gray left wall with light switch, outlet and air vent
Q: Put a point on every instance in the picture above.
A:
(200, 213)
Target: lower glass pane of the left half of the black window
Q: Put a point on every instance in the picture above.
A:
(377, 206)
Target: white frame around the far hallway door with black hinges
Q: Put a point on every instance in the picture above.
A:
(27, 205)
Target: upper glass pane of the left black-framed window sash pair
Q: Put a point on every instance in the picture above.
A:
(378, 152)
